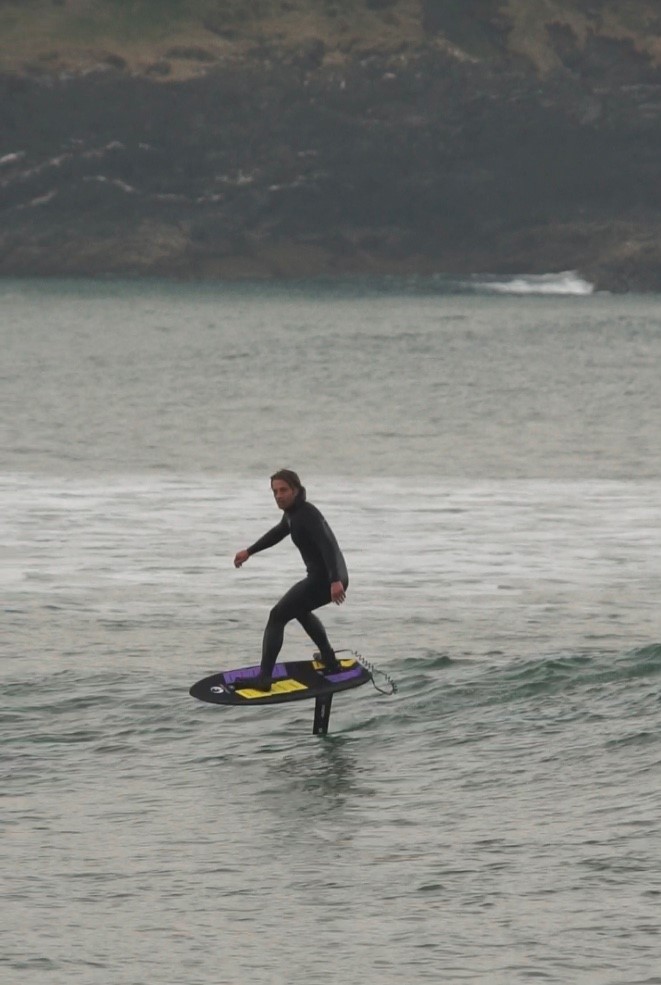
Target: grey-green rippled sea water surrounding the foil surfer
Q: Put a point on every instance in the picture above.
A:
(489, 456)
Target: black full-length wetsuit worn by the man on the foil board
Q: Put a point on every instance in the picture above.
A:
(324, 563)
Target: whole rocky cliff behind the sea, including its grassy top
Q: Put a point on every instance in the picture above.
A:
(279, 138)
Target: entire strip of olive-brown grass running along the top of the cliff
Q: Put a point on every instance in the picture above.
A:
(75, 35)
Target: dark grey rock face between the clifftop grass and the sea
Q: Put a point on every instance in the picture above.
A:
(289, 165)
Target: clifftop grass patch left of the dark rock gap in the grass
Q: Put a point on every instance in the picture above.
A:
(77, 35)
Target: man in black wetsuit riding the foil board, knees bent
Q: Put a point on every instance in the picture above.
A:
(326, 581)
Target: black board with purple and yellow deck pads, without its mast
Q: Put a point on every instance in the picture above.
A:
(292, 681)
